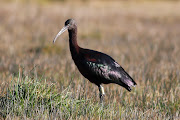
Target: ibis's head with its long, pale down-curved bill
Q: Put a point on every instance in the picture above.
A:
(69, 25)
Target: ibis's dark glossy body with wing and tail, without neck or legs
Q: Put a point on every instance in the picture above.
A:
(100, 68)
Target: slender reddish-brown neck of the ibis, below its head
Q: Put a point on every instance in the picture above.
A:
(74, 48)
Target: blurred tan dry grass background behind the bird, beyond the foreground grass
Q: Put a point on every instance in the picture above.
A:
(142, 36)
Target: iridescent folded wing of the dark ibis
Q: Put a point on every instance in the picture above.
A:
(107, 68)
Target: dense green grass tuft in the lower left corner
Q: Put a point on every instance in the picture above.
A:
(34, 97)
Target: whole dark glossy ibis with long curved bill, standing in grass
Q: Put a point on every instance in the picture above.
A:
(99, 68)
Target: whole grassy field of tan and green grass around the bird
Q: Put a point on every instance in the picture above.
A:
(38, 80)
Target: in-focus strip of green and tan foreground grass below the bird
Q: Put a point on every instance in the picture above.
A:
(28, 97)
